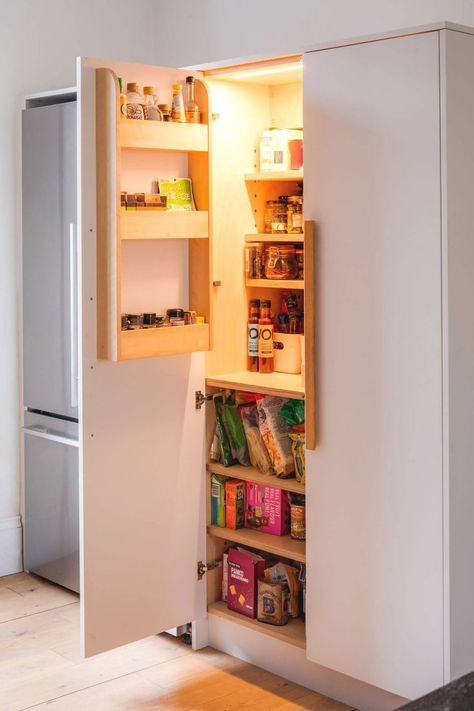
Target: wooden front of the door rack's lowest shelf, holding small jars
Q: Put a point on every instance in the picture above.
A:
(169, 340)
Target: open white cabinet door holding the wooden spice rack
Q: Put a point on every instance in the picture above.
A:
(141, 453)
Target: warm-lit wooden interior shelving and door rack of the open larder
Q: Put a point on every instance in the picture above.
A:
(156, 260)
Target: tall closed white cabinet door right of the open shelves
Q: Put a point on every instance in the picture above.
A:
(372, 183)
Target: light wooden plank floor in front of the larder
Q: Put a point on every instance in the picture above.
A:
(40, 666)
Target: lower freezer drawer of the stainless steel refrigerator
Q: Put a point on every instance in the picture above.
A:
(52, 506)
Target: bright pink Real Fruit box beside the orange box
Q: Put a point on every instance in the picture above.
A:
(267, 508)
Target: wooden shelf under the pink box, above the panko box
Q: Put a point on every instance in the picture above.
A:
(283, 546)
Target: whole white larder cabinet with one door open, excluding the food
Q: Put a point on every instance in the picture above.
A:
(389, 353)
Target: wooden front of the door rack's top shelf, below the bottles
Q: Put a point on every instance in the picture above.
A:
(162, 135)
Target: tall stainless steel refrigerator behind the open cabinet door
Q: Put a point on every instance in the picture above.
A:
(50, 342)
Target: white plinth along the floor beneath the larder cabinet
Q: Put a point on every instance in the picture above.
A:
(290, 662)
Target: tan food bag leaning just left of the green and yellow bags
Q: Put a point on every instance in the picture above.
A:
(274, 431)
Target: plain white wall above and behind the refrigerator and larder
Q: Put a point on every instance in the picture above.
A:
(39, 40)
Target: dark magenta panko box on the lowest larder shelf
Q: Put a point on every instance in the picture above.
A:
(243, 571)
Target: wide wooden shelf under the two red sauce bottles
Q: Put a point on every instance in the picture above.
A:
(280, 384)
